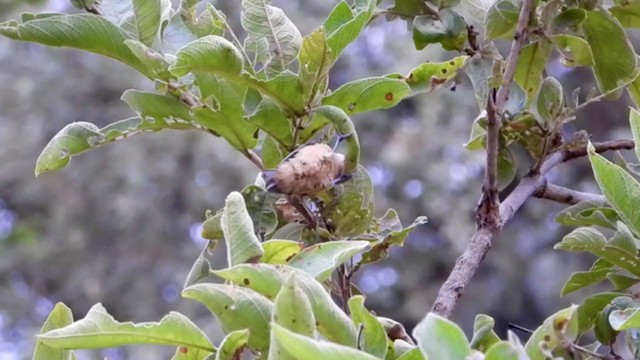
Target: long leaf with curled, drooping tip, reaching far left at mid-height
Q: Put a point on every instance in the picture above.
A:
(78, 137)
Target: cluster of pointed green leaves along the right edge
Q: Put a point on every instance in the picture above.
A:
(618, 261)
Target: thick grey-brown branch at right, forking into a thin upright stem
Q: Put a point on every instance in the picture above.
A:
(490, 215)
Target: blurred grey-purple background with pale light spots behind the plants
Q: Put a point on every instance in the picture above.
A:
(121, 225)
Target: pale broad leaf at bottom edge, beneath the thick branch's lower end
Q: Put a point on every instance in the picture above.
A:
(440, 338)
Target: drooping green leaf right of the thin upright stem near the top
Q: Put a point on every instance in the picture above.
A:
(531, 62)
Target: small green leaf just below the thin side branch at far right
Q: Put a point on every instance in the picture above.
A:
(587, 213)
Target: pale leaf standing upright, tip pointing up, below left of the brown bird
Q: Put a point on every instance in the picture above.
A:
(242, 243)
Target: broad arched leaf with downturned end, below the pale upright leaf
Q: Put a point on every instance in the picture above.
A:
(236, 308)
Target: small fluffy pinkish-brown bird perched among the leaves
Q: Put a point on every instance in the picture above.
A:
(307, 171)
